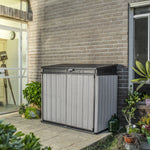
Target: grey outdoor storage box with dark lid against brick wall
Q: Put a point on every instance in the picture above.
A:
(79, 95)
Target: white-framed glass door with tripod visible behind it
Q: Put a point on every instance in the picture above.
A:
(13, 66)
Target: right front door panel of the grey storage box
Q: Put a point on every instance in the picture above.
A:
(80, 100)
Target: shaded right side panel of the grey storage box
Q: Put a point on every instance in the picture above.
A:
(105, 100)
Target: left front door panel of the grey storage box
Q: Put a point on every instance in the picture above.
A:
(54, 98)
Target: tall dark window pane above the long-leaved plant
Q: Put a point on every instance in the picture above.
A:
(141, 40)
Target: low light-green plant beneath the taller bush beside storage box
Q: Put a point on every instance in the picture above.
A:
(31, 113)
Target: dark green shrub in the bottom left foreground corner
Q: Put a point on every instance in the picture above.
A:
(12, 140)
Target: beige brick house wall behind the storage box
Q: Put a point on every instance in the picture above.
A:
(80, 31)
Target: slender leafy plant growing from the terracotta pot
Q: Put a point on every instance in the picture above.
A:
(129, 110)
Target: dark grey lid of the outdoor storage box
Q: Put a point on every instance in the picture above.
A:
(98, 69)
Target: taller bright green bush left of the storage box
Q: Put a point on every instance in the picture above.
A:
(32, 93)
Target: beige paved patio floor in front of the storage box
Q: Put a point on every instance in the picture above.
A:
(58, 137)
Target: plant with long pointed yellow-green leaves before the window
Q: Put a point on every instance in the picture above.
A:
(142, 71)
